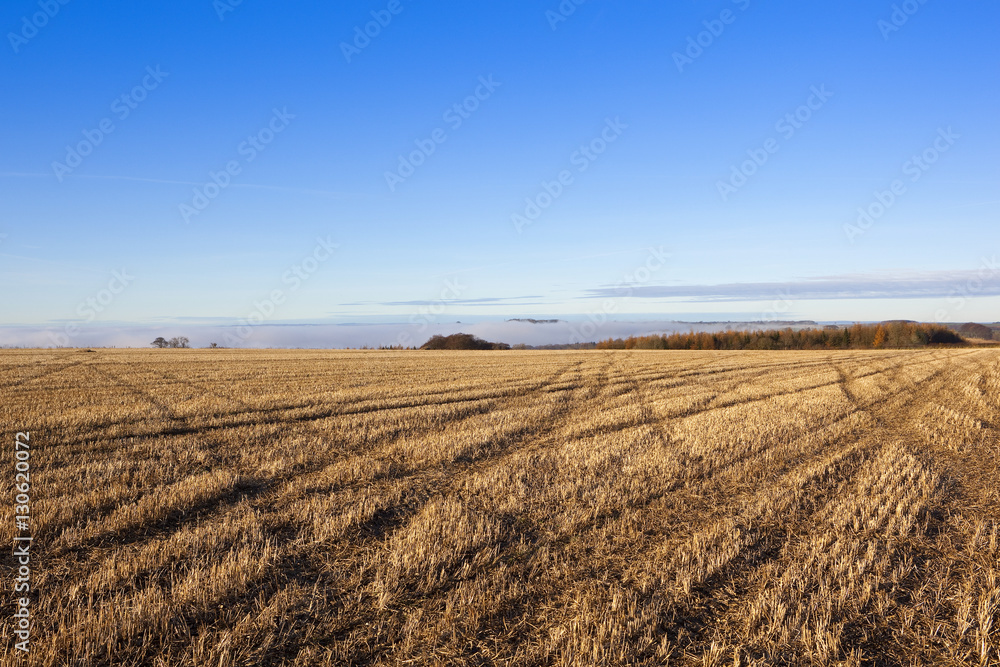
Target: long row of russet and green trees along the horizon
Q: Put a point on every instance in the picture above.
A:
(895, 334)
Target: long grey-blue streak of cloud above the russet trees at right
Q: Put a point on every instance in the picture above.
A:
(911, 285)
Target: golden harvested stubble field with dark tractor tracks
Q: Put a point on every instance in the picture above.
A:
(223, 507)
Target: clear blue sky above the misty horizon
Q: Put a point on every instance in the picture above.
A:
(643, 124)
